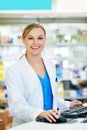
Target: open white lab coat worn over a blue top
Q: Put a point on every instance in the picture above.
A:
(24, 90)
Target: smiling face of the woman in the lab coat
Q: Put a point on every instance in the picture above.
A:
(34, 41)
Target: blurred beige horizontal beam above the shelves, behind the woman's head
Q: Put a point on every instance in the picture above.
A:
(44, 18)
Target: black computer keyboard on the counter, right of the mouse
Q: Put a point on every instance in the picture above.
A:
(76, 112)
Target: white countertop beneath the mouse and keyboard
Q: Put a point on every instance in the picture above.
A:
(49, 126)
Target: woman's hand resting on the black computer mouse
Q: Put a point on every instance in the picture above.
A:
(50, 115)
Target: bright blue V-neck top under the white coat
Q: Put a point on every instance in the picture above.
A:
(47, 92)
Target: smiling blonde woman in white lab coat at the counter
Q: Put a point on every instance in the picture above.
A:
(31, 81)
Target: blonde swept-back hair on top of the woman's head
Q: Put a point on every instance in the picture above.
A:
(31, 26)
